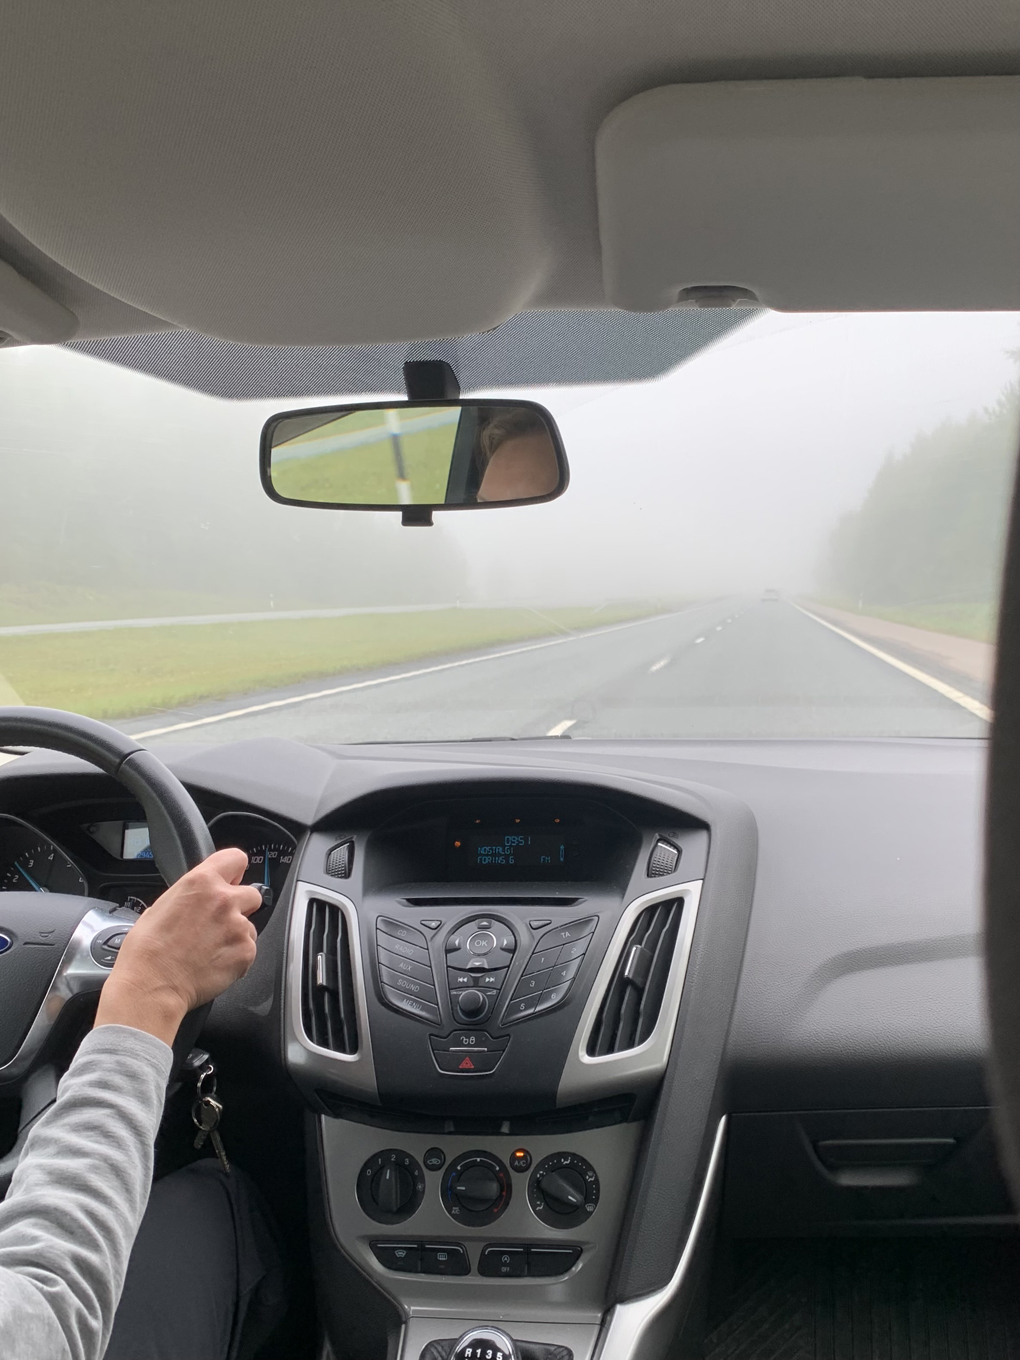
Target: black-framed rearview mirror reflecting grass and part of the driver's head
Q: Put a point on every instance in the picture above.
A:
(415, 458)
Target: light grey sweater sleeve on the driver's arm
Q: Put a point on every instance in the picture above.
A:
(77, 1199)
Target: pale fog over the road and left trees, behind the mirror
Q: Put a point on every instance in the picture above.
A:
(728, 474)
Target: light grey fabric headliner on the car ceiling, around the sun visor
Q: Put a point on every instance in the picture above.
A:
(347, 175)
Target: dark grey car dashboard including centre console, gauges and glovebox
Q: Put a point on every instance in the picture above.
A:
(534, 1017)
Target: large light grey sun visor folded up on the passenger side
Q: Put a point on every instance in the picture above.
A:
(844, 195)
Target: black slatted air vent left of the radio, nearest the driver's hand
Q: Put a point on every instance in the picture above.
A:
(328, 981)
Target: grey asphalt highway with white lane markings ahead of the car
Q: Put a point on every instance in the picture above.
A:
(732, 668)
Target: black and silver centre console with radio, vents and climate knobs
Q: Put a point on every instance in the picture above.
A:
(482, 996)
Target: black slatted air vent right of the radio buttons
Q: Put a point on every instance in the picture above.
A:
(634, 998)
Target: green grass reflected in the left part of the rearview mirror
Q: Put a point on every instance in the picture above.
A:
(367, 474)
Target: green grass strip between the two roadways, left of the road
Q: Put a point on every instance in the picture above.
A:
(134, 671)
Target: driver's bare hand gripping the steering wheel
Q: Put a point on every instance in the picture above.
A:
(187, 949)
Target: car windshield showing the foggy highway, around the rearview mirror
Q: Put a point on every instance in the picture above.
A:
(795, 534)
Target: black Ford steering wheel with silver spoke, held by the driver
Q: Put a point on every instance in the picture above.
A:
(56, 940)
